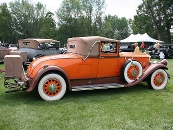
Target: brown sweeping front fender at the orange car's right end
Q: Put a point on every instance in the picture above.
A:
(146, 73)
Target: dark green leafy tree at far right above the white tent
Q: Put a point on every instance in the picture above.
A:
(155, 17)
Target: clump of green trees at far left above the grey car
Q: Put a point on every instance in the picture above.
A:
(22, 19)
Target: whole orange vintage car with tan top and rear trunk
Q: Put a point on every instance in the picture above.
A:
(91, 62)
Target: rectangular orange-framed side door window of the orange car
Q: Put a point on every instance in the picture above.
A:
(108, 47)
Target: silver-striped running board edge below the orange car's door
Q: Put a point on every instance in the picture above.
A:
(97, 86)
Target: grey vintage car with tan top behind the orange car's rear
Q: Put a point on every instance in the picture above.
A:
(31, 48)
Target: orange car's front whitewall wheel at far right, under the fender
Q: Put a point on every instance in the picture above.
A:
(158, 79)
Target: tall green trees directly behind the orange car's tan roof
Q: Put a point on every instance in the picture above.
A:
(79, 17)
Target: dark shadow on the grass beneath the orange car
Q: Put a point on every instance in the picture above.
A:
(90, 95)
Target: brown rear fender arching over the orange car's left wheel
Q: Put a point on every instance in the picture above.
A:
(33, 82)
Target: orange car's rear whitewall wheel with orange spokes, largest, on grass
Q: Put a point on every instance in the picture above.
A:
(52, 87)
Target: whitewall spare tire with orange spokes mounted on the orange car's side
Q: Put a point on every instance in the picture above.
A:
(131, 70)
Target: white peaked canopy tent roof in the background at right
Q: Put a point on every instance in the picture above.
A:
(139, 38)
